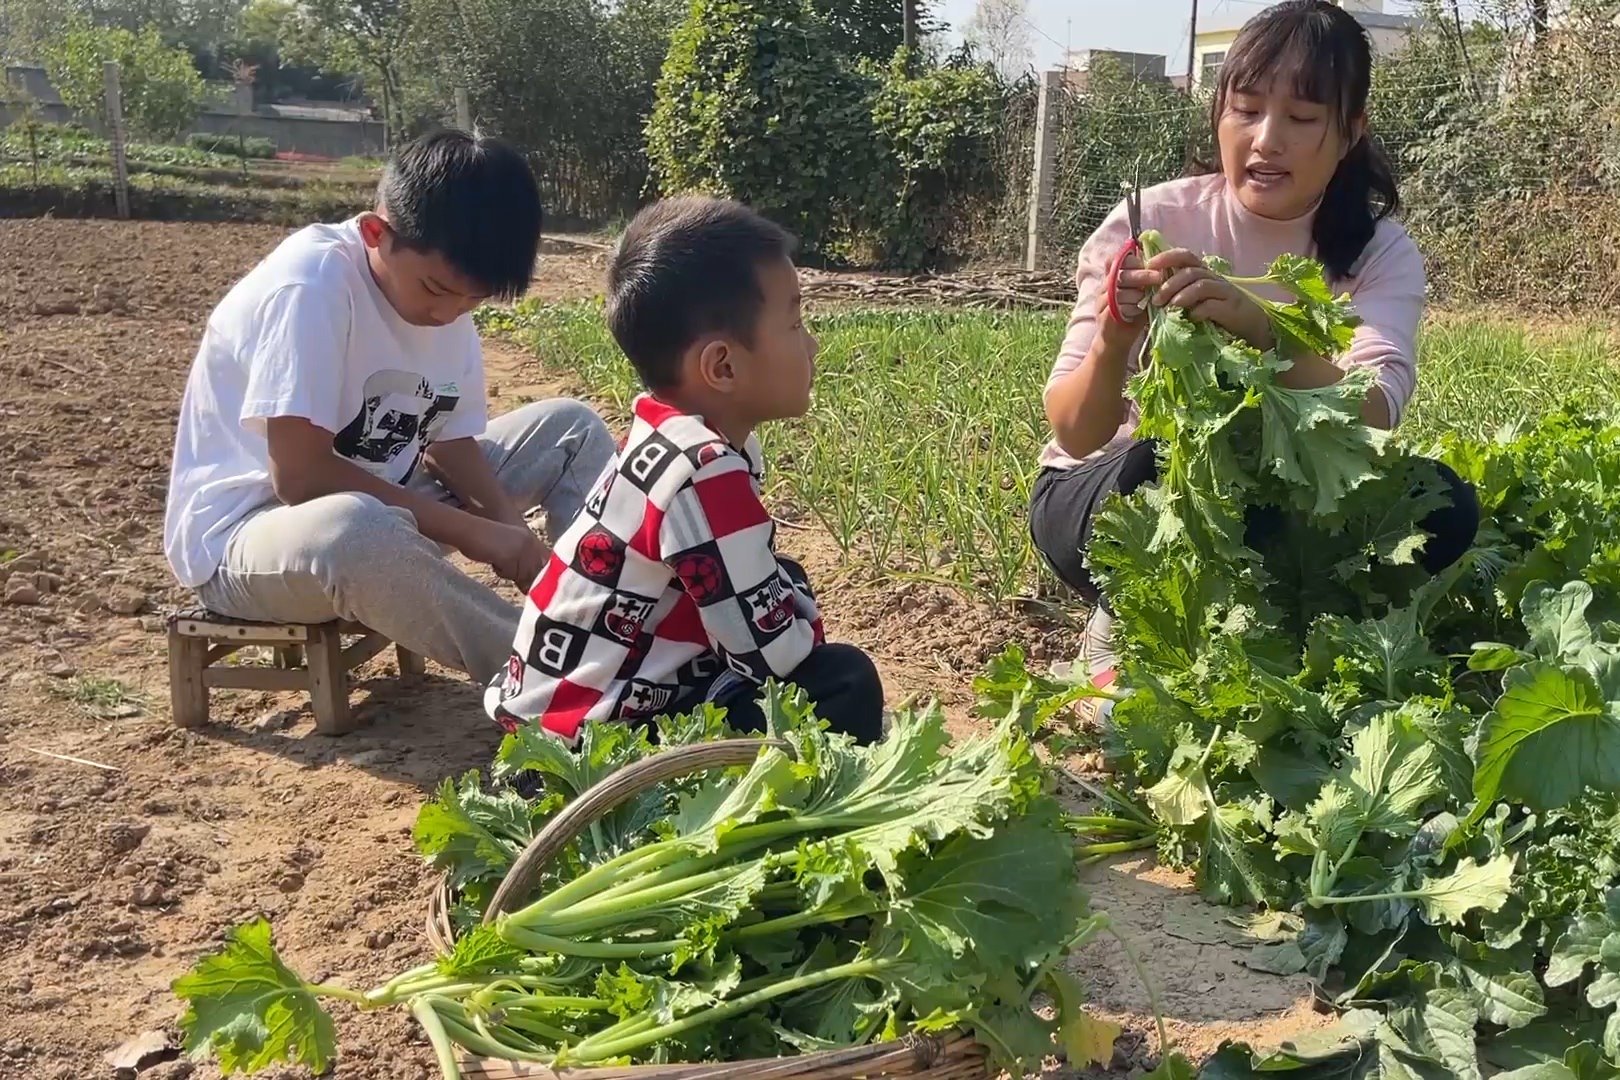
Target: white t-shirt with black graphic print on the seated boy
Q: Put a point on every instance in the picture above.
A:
(309, 334)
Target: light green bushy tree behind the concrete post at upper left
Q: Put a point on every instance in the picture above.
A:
(163, 91)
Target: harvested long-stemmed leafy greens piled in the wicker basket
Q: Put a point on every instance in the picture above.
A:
(821, 898)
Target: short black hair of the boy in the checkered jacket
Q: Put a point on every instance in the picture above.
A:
(684, 268)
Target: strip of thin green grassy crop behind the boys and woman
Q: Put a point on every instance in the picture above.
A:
(921, 446)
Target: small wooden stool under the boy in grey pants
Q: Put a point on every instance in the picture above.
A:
(307, 658)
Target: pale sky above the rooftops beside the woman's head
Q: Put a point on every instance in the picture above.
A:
(1157, 27)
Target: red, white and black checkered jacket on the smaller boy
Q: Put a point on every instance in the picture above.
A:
(665, 592)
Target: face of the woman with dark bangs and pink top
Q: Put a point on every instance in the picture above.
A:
(1281, 151)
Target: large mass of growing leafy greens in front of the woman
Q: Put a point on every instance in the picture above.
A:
(1425, 773)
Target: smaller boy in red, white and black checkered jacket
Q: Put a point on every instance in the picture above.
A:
(667, 590)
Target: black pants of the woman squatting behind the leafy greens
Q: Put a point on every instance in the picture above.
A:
(1065, 506)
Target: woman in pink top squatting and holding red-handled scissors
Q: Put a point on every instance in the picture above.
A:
(1297, 174)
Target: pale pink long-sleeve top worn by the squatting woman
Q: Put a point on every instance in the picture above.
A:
(1203, 216)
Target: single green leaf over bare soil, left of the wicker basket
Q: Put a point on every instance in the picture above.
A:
(249, 1010)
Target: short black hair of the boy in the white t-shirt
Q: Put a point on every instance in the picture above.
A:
(472, 200)
